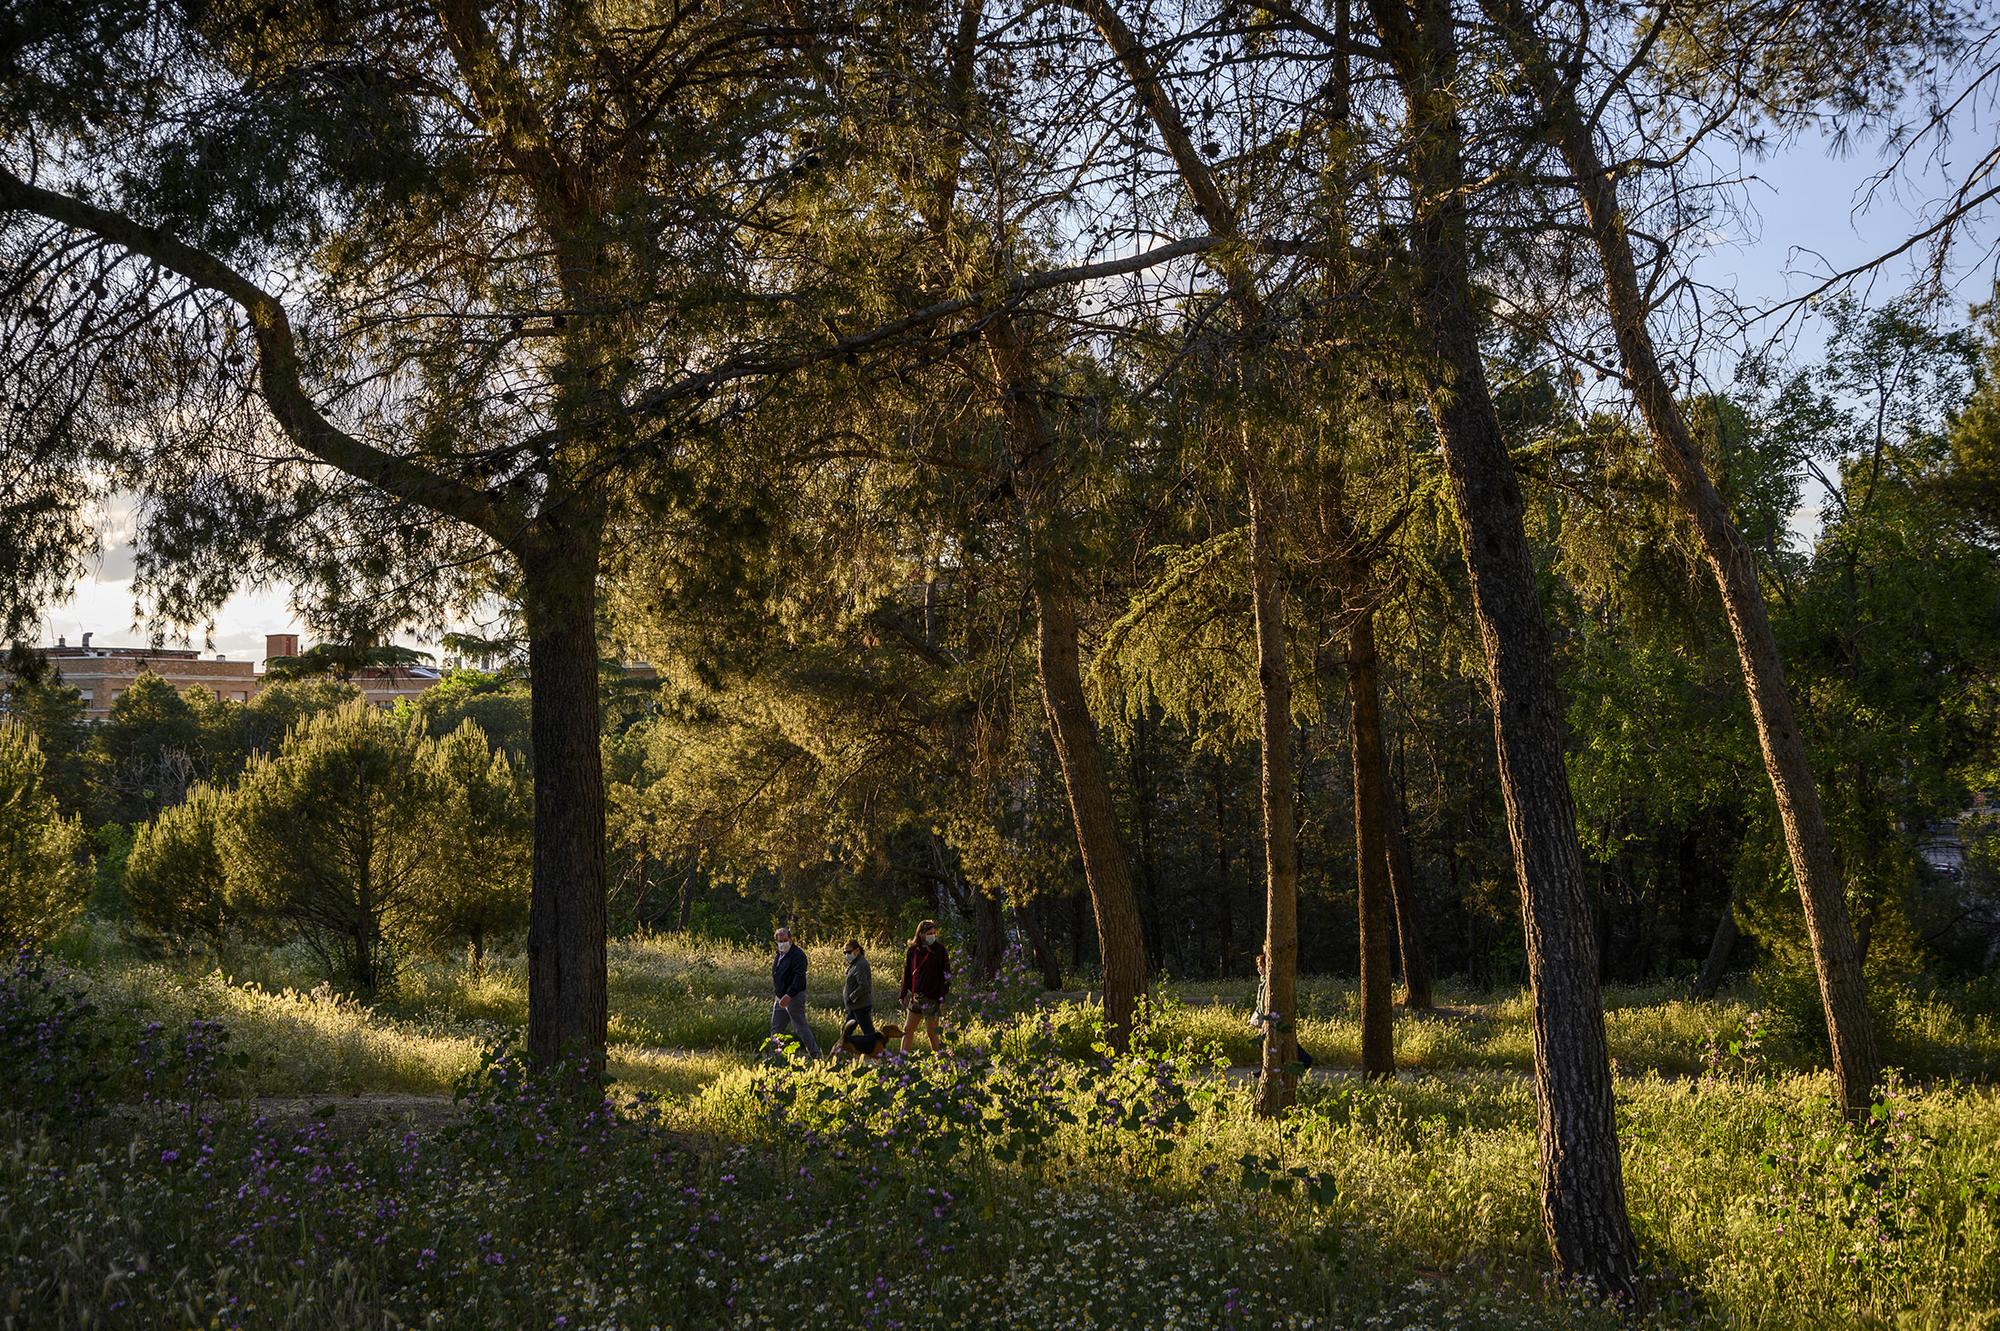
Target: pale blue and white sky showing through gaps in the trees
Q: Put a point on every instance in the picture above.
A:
(1809, 215)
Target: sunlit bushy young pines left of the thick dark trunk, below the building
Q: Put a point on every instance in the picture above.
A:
(349, 830)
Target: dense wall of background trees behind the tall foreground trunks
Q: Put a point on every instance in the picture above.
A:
(775, 784)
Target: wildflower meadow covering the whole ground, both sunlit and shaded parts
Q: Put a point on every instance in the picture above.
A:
(1027, 1180)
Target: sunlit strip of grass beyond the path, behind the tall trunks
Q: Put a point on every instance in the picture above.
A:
(697, 996)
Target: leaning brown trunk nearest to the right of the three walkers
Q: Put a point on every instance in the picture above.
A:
(1107, 870)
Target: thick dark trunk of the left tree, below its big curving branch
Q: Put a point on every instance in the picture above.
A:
(567, 1006)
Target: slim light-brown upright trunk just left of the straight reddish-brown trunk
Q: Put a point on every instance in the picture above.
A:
(1279, 1078)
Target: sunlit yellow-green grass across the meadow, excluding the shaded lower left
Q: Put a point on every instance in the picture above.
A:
(1755, 1204)
